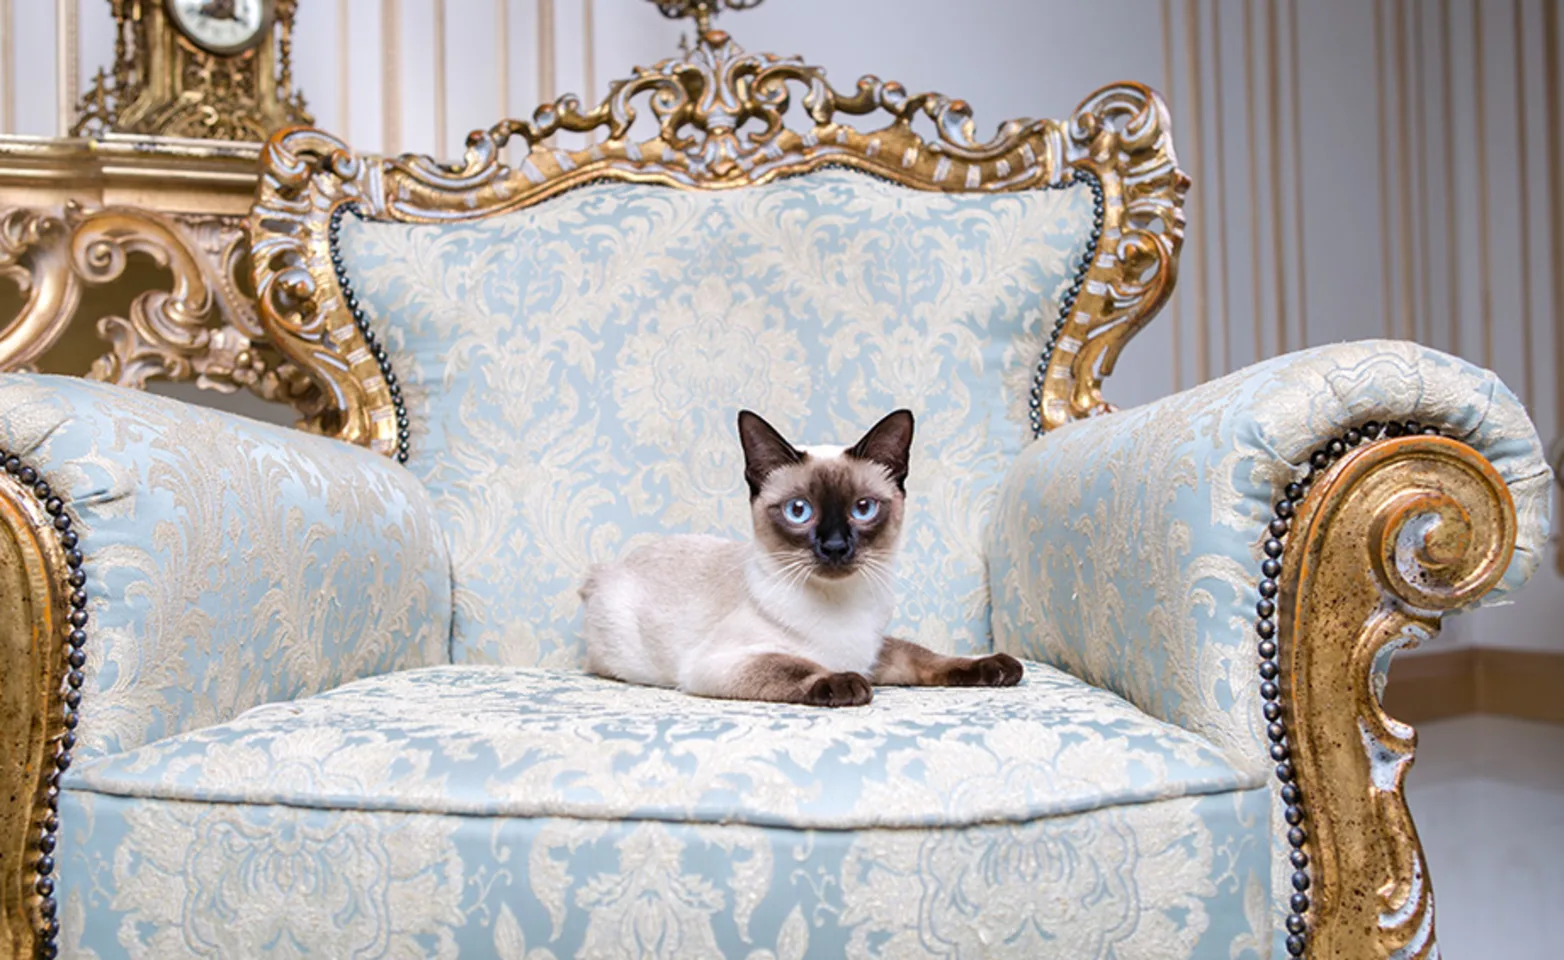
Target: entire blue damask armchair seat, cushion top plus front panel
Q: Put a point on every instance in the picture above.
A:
(489, 811)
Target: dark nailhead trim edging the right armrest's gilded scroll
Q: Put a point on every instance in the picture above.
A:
(1274, 545)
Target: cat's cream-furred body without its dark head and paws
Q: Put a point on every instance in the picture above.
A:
(691, 612)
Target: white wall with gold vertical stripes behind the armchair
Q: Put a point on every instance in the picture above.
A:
(1344, 95)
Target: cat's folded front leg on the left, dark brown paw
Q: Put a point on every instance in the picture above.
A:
(775, 678)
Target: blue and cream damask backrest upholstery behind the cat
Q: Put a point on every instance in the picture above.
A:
(573, 373)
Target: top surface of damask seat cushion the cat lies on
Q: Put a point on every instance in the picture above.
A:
(551, 743)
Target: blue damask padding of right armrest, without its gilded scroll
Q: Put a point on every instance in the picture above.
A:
(1127, 548)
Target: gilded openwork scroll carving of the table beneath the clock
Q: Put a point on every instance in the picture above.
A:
(203, 328)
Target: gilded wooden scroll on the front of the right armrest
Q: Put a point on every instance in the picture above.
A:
(1393, 539)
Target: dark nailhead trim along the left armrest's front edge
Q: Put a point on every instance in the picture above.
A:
(56, 506)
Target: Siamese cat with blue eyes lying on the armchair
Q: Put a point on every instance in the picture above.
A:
(795, 617)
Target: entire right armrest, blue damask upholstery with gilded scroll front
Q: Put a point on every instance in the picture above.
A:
(1243, 557)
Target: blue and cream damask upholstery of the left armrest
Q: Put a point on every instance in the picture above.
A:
(221, 553)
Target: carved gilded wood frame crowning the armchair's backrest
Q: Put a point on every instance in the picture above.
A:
(720, 123)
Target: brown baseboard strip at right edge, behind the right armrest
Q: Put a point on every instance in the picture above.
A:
(1519, 684)
